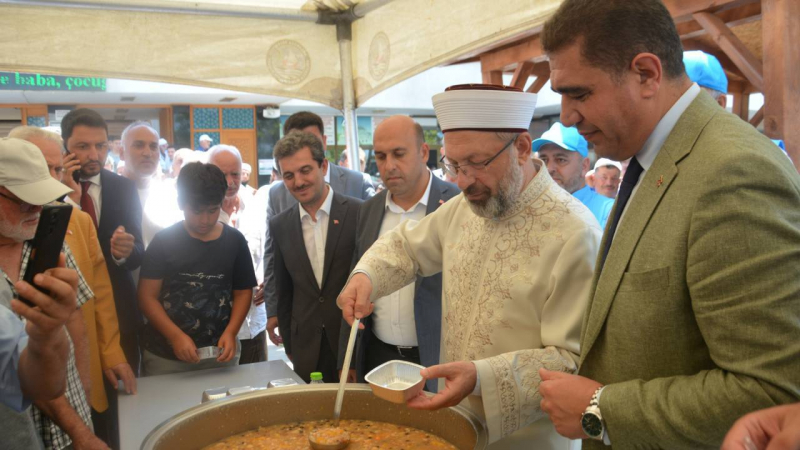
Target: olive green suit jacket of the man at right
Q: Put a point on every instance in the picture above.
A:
(695, 318)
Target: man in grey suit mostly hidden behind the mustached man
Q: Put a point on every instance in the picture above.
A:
(343, 181)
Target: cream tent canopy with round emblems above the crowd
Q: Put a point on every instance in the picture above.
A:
(273, 47)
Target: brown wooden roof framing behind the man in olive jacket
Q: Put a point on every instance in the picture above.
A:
(755, 40)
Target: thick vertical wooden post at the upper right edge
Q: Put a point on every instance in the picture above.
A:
(780, 35)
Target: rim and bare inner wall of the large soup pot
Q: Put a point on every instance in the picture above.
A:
(219, 419)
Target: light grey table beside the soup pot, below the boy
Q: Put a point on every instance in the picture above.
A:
(161, 397)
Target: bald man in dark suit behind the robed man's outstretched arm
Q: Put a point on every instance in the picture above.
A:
(407, 326)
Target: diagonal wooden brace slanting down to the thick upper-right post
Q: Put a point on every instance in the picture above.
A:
(749, 64)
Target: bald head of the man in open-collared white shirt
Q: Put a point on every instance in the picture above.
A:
(401, 155)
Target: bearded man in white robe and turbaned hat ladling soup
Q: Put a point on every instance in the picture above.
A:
(516, 253)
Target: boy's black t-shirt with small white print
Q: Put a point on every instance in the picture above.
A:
(198, 280)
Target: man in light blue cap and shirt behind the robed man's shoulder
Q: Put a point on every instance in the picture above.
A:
(565, 152)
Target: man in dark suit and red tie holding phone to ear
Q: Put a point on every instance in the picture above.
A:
(113, 203)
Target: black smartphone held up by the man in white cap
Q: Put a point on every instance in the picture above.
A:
(47, 242)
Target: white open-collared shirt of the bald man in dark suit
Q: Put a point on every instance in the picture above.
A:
(393, 317)
